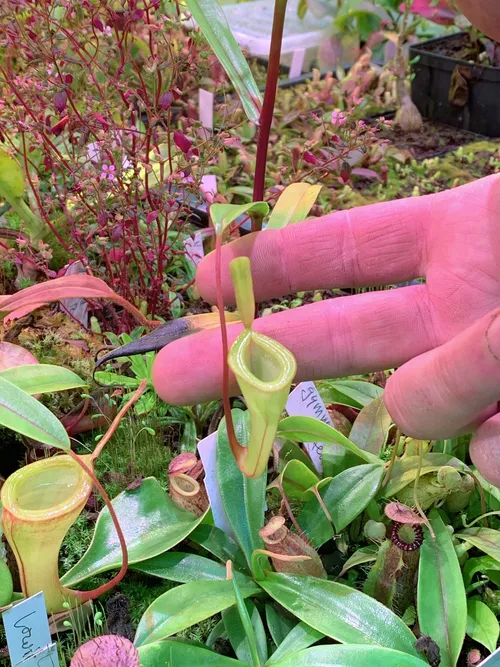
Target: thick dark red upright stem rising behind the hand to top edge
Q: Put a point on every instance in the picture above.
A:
(266, 116)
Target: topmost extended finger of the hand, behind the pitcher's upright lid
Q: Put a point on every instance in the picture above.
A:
(367, 246)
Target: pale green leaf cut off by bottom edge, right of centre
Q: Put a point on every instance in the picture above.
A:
(350, 656)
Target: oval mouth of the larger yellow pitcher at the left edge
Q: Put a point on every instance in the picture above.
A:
(46, 489)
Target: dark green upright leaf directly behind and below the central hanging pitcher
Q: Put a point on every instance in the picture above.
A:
(243, 498)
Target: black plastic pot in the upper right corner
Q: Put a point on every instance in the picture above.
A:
(454, 91)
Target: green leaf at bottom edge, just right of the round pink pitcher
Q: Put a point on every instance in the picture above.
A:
(176, 653)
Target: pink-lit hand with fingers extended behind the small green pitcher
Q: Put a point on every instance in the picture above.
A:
(445, 334)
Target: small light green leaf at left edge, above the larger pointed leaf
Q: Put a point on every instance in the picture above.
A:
(42, 378)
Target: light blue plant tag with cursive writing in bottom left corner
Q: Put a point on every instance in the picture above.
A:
(27, 630)
